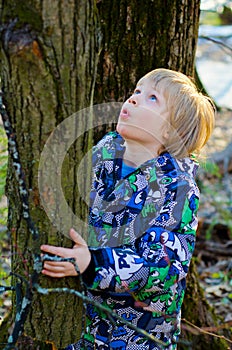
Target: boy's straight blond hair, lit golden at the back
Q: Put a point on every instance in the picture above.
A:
(191, 113)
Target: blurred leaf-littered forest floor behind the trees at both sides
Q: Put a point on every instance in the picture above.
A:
(214, 241)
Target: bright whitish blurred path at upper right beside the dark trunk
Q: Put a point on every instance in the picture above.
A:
(214, 62)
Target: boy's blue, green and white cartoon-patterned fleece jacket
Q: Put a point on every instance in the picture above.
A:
(142, 235)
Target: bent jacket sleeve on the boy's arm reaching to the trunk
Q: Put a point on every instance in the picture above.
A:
(157, 259)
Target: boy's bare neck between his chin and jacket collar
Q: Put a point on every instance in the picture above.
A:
(137, 154)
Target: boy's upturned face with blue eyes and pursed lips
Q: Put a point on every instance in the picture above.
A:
(143, 116)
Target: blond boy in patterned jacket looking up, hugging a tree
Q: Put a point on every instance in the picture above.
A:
(143, 207)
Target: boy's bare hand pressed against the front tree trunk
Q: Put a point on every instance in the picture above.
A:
(80, 252)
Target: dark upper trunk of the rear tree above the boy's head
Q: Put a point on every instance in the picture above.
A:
(138, 37)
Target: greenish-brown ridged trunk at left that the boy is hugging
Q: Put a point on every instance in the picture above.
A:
(48, 58)
